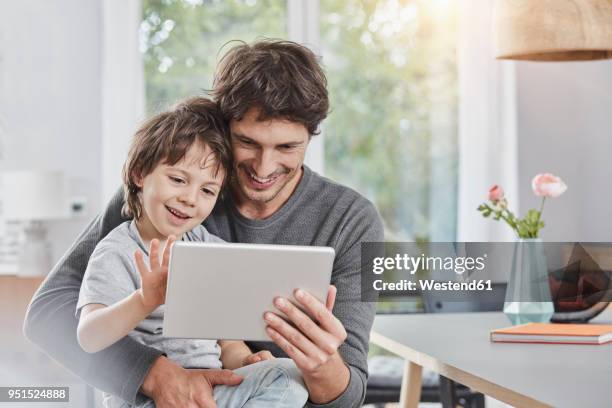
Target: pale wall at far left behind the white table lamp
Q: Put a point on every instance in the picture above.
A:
(50, 97)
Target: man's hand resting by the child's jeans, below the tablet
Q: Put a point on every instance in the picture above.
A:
(172, 386)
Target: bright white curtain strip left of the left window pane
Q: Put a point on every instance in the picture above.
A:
(123, 92)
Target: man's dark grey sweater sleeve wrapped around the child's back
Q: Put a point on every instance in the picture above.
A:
(51, 322)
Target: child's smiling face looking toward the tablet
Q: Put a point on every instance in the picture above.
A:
(177, 198)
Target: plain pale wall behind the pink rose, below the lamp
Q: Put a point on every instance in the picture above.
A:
(565, 127)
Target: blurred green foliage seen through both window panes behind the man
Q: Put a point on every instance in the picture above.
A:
(392, 71)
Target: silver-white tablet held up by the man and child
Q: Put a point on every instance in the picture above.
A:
(221, 290)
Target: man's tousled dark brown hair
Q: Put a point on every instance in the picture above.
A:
(282, 79)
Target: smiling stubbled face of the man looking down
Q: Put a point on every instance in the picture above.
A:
(268, 157)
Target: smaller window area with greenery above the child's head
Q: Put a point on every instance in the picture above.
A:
(180, 41)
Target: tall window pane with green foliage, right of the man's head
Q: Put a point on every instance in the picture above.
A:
(392, 134)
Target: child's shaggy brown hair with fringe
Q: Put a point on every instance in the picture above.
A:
(166, 137)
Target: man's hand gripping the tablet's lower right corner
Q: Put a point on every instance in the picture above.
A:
(312, 342)
